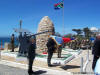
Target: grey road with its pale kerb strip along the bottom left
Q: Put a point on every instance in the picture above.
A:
(13, 68)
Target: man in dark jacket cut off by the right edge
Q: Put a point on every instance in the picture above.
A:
(96, 51)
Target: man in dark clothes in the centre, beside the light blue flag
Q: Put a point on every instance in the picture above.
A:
(51, 48)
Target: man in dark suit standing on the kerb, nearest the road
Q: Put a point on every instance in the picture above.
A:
(31, 55)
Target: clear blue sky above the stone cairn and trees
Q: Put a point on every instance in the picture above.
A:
(77, 14)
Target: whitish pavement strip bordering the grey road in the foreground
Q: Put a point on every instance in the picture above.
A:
(24, 66)
